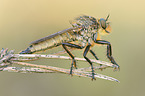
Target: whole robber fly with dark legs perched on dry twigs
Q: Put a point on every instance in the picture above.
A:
(83, 34)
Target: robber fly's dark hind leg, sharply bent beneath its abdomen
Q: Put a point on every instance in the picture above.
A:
(70, 54)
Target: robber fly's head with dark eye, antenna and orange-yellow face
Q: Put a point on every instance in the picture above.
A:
(104, 26)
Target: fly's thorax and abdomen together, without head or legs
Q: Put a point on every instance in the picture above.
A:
(84, 27)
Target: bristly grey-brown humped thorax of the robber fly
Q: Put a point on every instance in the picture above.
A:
(88, 27)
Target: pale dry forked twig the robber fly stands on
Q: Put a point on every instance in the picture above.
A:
(8, 58)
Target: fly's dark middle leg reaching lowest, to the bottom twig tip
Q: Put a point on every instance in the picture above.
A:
(85, 53)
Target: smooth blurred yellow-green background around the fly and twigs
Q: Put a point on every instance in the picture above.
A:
(23, 21)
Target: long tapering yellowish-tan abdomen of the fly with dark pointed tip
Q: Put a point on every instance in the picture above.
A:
(51, 41)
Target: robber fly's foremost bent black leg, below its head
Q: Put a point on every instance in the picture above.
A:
(109, 50)
